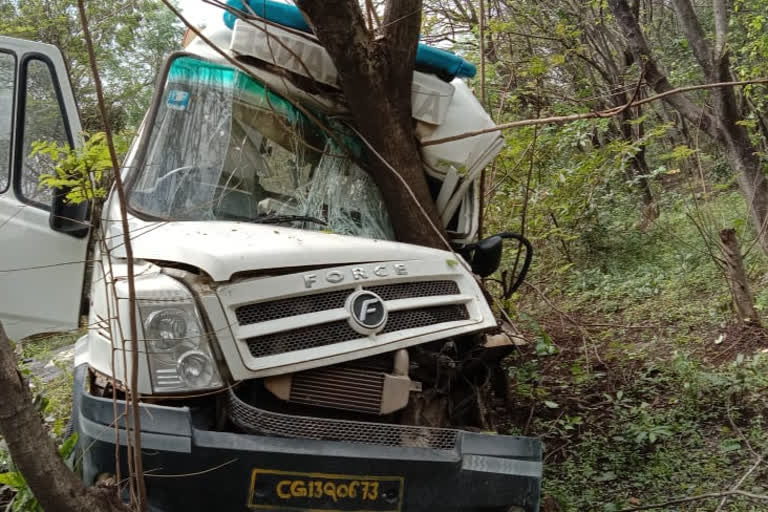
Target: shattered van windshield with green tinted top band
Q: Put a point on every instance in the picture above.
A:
(222, 147)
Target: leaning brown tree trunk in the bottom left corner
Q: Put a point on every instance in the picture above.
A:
(33, 451)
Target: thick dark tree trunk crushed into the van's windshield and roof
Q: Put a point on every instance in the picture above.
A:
(376, 74)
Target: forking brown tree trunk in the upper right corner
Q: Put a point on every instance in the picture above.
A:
(722, 123)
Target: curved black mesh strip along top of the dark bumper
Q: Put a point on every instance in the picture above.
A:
(259, 421)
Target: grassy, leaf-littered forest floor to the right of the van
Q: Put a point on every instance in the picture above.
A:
(655, 392)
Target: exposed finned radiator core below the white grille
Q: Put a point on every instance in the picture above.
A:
(339, 387)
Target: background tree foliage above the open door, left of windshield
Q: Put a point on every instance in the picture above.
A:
(131, 39)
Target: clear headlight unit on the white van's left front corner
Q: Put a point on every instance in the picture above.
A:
(180, 357)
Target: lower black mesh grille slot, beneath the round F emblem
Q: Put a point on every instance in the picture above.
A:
(340, 331)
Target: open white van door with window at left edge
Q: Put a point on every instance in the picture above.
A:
(42, 260)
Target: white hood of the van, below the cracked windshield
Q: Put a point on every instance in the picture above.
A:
(222, 248)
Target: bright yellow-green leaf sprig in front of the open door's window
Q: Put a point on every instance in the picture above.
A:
(80, 171)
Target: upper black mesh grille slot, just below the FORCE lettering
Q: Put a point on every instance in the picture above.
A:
(283, 308)
